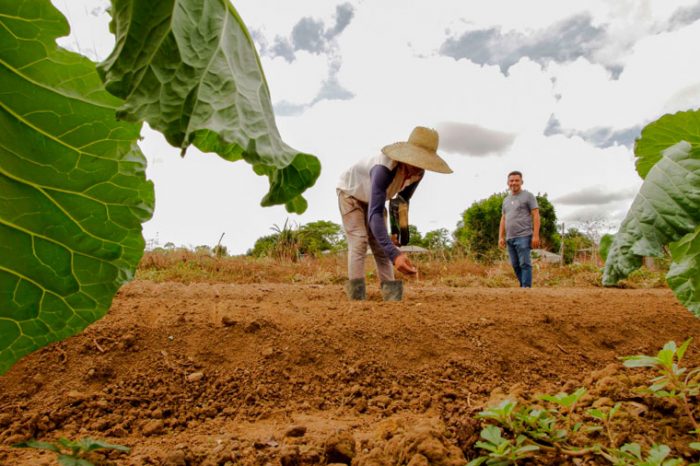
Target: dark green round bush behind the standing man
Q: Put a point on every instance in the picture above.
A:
(478, 230)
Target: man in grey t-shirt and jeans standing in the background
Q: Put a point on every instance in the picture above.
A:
(520, 228)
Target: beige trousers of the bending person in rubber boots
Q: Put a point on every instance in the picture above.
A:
(354, 214)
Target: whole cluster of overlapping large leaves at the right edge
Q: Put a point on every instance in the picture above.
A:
(666, 212)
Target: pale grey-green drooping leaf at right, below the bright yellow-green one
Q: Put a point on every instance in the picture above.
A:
(666, 208)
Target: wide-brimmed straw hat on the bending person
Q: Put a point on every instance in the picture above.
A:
(420, 151)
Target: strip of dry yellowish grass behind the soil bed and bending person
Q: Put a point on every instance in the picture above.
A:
(189, 267)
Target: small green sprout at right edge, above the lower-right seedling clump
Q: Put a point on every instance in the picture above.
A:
(673, 381)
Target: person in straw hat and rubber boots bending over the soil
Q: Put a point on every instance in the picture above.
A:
(362, 194)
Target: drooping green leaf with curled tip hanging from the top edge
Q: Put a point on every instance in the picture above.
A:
(189, 68)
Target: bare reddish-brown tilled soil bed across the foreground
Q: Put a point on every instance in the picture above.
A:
(219, 374)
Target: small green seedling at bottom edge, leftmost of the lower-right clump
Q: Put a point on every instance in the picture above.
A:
(502, 451)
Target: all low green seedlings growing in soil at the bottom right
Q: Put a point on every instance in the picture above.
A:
(558, 432)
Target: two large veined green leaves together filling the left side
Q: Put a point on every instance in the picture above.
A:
(72, 178)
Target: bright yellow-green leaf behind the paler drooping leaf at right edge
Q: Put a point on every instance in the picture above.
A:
(664, 133)
